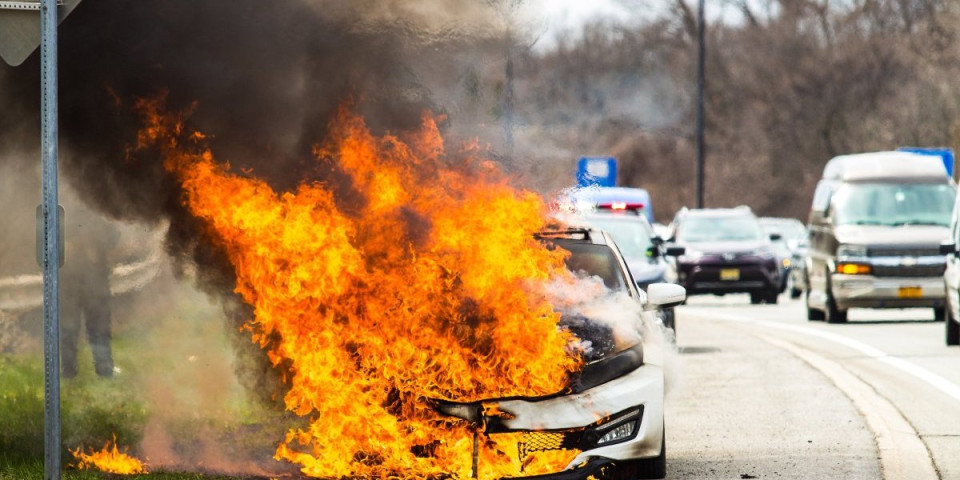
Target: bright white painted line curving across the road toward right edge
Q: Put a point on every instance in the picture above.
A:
(936, 381)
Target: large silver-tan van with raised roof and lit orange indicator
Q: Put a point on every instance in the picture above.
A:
(876, 224)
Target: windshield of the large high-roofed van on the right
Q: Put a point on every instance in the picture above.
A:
(893, 204)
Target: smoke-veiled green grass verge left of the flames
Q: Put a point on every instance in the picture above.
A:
(176, 361)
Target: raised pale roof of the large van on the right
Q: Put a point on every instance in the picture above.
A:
(881, 165)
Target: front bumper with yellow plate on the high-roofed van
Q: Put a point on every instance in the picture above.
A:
(868, 291)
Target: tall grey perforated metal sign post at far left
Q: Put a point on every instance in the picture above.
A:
(51, 248)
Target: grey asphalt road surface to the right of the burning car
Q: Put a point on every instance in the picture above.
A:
(761, 392)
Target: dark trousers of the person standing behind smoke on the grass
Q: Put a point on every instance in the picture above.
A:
(95, 313)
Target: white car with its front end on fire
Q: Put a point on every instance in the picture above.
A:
(612, 410)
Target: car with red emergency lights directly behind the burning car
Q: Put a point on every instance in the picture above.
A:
(645, 252)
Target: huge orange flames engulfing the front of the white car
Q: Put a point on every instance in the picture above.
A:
(424, 283)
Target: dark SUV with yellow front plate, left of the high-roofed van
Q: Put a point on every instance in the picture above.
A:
(726, 252)
